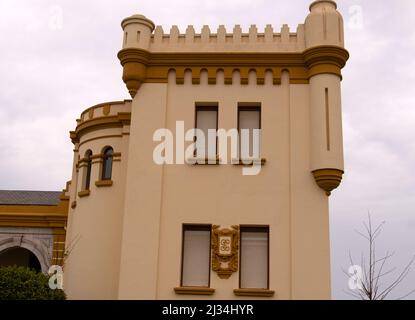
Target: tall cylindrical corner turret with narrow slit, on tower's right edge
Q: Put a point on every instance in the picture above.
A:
(324, 27)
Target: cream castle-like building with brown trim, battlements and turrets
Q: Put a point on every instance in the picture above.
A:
(150, 215)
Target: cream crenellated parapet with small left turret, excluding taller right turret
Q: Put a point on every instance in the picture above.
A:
(139, 32)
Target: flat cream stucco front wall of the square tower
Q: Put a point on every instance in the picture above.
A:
(159, 199)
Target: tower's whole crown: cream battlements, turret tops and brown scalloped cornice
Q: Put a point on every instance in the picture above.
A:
(148, 53)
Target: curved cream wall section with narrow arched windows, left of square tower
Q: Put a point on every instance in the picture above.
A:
(95, 217)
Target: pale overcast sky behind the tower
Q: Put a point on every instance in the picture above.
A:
(59, 57)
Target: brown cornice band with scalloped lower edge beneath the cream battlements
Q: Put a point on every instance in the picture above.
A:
(141, 66)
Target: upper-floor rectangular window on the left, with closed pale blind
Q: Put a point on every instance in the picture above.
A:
(207, 122)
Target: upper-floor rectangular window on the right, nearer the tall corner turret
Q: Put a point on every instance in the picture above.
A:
(249, 119)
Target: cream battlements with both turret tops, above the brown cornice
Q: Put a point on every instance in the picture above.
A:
(322, 26)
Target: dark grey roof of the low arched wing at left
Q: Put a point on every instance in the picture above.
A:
(45, 198)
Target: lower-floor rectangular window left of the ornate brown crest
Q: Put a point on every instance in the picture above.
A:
(196, 256)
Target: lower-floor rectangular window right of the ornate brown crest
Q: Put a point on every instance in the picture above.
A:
(254, 256)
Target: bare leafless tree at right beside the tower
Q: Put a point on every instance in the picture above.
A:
(369, 275)
